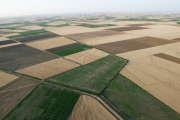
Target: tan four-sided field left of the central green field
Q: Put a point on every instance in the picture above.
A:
(49, 69)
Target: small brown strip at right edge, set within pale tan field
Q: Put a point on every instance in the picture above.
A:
(168, 57)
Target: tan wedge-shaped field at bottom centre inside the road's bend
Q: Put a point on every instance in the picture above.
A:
(87, 108)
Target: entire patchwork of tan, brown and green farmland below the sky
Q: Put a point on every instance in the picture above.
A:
(99, 66)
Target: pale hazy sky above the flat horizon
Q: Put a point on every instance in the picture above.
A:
(35, 7)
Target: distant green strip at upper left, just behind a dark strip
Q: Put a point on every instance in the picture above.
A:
(30, 33)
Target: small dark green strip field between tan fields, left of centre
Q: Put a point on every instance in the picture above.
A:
(72, 50)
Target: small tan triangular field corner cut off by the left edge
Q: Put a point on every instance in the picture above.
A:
(6, 78)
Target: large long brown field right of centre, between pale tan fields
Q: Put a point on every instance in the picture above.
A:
(133, 44)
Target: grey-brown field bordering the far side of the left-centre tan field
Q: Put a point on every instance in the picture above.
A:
(24, 62)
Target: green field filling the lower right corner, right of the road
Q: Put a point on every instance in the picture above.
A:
(136, 103)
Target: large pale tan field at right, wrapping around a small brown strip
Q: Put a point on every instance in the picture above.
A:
(158, 76)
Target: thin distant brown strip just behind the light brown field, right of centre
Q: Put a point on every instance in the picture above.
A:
(122, 29)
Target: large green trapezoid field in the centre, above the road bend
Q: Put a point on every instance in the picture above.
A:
(92, 77)
